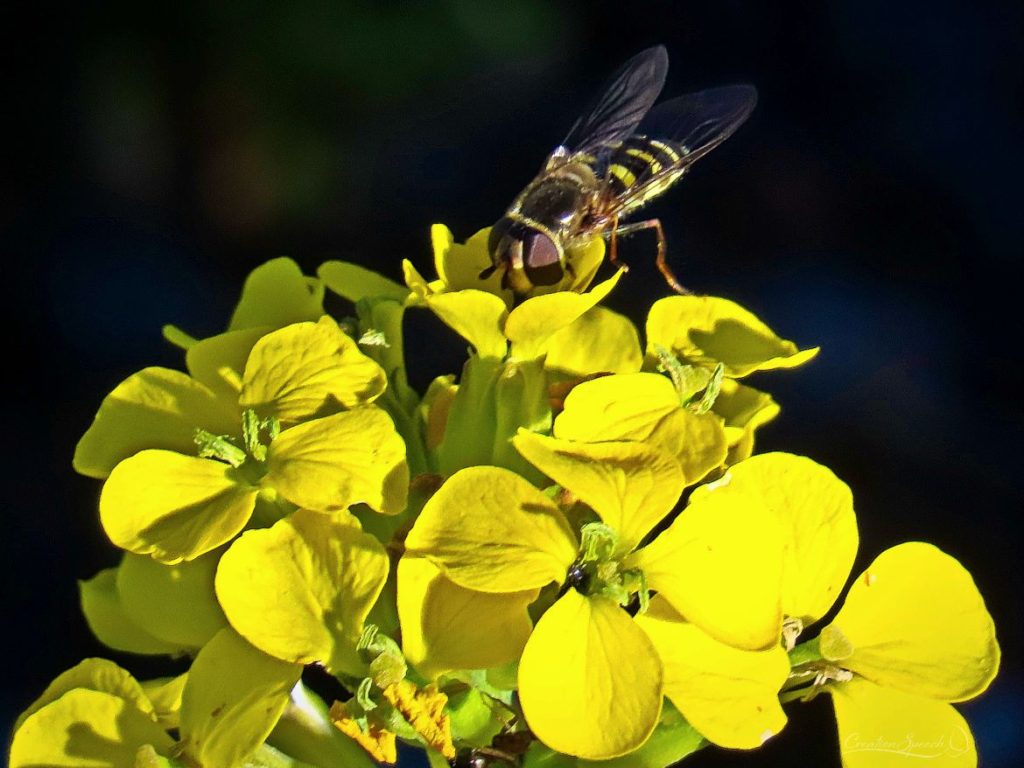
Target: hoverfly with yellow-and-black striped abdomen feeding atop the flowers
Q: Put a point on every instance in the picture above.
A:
(620, 155)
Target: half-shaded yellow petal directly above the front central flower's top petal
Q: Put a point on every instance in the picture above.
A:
(645, 408)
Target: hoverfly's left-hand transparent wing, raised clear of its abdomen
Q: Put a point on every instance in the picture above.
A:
(623, 103)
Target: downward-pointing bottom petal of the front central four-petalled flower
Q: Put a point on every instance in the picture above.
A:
(590, 681)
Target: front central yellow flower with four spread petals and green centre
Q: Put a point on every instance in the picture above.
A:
(590, 678)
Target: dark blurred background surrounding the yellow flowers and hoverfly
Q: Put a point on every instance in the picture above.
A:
(872, 206)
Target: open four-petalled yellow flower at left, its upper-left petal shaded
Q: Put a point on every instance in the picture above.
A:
(174, 505)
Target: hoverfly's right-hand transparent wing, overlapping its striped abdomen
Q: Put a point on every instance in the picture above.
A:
(692, 125)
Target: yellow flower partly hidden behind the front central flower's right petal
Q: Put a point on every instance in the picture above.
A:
(731, 695)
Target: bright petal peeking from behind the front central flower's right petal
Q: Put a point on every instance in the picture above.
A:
(816, 509)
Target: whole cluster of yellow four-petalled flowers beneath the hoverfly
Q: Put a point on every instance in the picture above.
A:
(568, 556)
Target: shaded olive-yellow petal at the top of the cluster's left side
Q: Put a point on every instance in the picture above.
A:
(277, 294)
